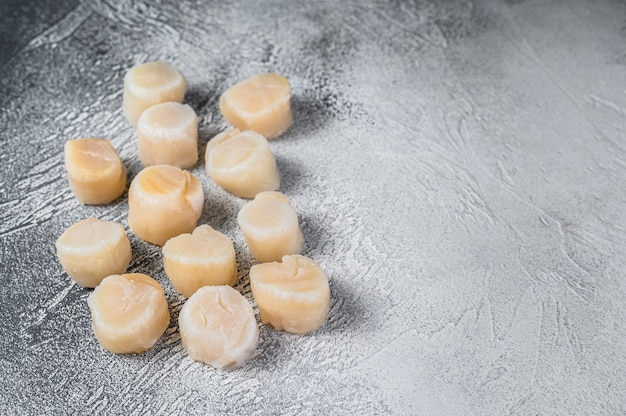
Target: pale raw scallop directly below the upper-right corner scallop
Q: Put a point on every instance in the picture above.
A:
(242, 163)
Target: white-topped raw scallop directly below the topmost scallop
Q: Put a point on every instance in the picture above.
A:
(167, 134)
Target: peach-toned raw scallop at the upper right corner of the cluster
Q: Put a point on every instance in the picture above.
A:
(261, 103)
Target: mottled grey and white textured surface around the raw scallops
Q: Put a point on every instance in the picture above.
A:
(458, 167)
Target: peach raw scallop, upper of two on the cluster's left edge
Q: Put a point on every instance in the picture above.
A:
(94, 170)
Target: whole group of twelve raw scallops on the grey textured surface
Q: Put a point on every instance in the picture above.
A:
(217, 324)
